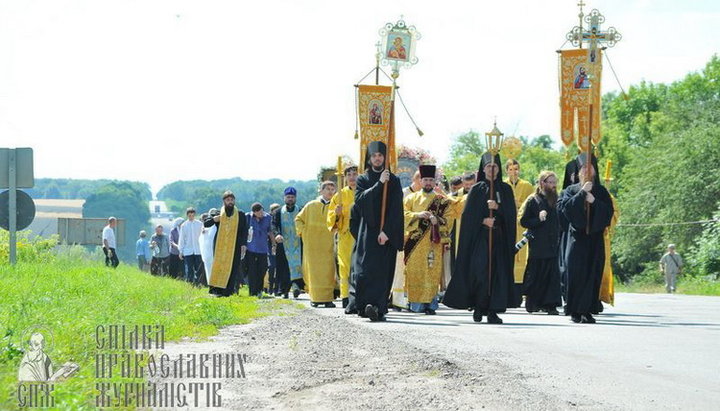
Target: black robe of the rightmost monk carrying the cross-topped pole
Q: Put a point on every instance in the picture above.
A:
(584, 253)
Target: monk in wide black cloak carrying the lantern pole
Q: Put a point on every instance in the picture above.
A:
(471, 286)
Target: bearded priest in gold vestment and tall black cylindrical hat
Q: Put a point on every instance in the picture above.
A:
(429, 214)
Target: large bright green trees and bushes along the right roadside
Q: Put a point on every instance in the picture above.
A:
(668, 165)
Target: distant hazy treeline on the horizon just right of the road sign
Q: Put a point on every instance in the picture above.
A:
(67, 188)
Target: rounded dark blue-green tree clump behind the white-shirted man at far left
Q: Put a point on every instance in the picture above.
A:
(122, 200)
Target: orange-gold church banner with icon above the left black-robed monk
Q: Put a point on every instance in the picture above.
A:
(374, 112)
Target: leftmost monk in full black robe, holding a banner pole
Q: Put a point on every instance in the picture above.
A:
(376, 248)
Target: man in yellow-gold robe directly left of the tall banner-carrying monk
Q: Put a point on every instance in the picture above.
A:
(339, 221)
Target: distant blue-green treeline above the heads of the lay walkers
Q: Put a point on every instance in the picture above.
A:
(204, 194)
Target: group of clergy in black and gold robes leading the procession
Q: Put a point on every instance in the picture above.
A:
(417, 247)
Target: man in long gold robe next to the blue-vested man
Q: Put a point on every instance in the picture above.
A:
(318, 259)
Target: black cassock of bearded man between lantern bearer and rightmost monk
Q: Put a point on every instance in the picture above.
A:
(541, 283)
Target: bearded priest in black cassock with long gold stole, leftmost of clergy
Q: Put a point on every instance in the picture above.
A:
(228, 254)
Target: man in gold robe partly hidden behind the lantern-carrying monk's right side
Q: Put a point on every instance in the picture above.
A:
(522, 189)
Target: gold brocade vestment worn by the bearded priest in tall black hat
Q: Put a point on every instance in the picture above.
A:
(424, 266)
